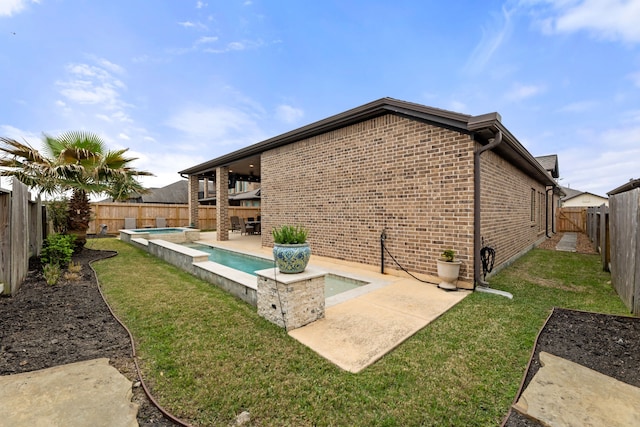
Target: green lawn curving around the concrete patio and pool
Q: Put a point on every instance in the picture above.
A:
(208, 356)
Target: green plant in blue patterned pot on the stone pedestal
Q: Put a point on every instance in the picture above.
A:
(291, 250)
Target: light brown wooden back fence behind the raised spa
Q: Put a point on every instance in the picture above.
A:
(113, 214)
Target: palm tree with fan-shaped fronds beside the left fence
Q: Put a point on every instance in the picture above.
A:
(74, 161)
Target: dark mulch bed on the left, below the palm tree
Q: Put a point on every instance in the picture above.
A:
(44, 326)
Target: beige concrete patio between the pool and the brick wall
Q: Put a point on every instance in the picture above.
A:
(364, 324)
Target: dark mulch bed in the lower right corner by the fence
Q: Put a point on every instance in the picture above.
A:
(607, 344)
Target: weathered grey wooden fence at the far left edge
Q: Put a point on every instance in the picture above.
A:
(20, 235)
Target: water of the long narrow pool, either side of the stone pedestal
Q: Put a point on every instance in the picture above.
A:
(333, 284)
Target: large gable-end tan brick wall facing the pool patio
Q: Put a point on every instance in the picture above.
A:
(346, 186)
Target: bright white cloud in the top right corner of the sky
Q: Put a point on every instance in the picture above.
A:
(615, 20)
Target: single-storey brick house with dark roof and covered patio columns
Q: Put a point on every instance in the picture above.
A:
(412, 171)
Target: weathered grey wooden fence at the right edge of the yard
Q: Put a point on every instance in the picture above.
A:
(624, 231)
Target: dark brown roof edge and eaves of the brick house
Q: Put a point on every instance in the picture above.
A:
(483, 127)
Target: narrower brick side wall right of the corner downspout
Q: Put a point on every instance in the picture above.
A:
(508, 223)
